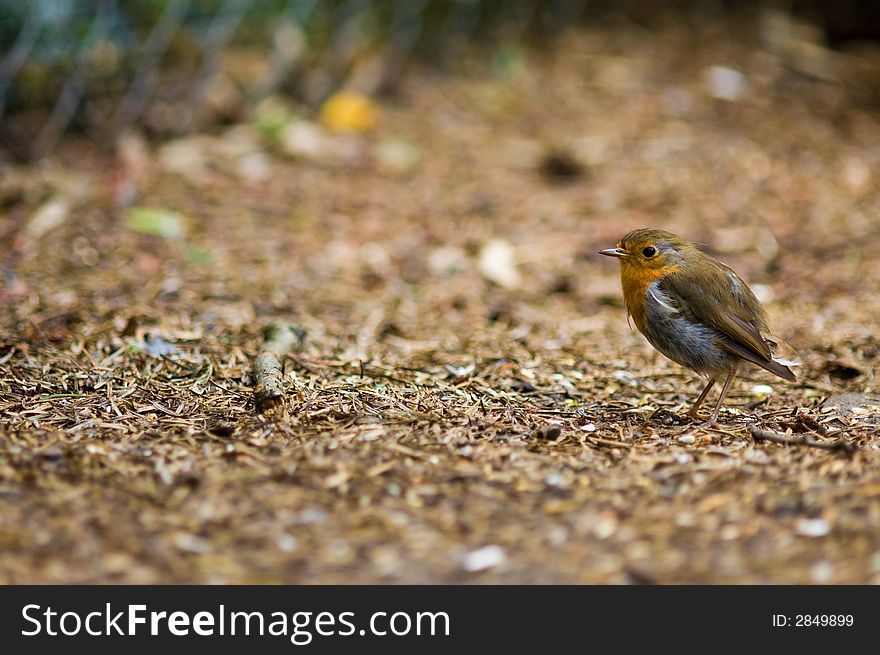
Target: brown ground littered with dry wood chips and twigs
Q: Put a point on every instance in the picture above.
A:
(469, 403)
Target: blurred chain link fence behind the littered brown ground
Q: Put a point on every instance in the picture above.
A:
(172, 66)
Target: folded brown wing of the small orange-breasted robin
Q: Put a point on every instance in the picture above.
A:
(706, 299)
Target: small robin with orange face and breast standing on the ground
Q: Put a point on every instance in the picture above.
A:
(696, 311)
